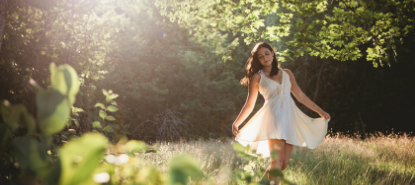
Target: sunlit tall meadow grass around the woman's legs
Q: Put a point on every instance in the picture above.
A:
(338, 160)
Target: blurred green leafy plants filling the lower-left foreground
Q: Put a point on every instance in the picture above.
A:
(89, 159)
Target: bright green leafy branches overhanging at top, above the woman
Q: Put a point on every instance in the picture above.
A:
(325, 29)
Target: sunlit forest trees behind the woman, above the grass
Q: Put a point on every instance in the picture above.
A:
(176, 65)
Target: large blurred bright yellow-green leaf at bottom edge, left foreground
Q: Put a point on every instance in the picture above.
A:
(80, 157)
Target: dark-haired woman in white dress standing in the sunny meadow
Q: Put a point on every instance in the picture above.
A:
(279, 124)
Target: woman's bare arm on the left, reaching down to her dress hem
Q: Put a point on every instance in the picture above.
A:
(249, 104)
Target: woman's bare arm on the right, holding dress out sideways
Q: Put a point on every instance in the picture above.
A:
(301, 97)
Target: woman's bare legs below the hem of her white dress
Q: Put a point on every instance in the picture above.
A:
(278, 146)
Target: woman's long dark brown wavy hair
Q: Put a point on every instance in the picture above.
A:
(253, 65)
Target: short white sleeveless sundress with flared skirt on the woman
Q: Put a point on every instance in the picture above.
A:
(280, 118)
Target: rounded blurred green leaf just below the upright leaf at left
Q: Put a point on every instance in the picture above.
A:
(53, 111)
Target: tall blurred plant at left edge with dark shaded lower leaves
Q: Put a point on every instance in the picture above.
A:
(30, 150)
